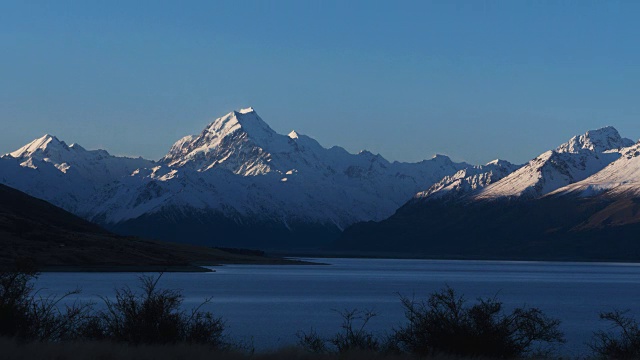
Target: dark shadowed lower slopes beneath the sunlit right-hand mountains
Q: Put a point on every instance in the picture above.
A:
(550, 228)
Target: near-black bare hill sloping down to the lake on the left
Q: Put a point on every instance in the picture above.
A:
(58, 240)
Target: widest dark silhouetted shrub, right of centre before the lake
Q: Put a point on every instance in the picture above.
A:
(445, 324)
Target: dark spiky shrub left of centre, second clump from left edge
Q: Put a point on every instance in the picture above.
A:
(154, 316)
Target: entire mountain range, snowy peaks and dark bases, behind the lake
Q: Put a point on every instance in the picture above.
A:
(239, 183)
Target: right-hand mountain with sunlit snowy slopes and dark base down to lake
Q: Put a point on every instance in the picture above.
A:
(580, 201)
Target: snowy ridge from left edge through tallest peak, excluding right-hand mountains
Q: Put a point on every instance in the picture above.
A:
(237, 167)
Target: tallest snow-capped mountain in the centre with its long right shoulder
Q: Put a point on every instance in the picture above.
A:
(238, 165)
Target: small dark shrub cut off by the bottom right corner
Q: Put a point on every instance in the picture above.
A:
(622, 344)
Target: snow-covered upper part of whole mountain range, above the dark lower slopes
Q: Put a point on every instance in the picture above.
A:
(239, 173)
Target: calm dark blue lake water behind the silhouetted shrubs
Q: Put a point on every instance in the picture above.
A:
(269, 304)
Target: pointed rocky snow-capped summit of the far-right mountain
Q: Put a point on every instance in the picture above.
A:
(600, 140)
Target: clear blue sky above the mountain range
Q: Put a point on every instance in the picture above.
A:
(471, 79)
